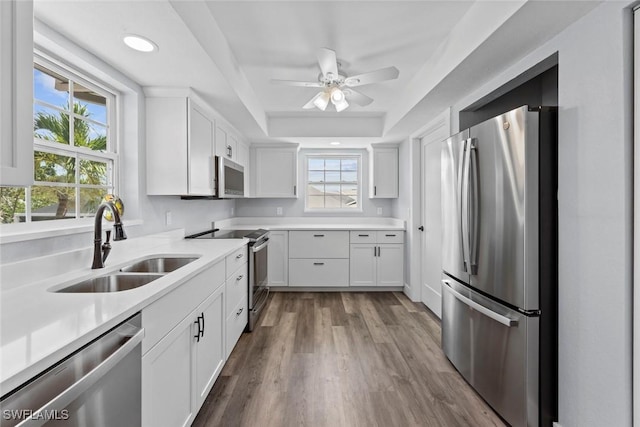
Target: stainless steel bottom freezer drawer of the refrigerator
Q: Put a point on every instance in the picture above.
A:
(495, 349)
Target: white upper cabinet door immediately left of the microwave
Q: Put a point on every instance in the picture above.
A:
(200, 152)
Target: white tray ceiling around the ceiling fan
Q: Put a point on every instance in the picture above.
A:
(229, 50)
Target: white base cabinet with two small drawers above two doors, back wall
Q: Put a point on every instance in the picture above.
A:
(376, 264)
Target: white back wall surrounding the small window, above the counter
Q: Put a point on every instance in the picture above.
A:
(295, 207)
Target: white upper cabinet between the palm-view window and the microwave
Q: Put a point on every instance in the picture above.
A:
(180, 147)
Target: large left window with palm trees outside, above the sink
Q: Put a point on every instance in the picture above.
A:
(74, 149)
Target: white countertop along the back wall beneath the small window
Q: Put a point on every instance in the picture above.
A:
(312, 223)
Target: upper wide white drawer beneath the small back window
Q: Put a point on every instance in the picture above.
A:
(319, 244)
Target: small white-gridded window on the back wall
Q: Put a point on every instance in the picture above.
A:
(333, 182)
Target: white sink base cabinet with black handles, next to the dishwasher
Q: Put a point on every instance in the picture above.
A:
(183, 349)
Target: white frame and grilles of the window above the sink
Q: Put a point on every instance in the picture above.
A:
(109, 156)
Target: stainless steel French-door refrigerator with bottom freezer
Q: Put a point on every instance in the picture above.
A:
(499, 258)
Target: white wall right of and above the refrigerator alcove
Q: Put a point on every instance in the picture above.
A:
(595, 209)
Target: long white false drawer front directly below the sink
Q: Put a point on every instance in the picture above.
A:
(163, 315)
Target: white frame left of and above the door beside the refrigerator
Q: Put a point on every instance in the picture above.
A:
(441, 122)
